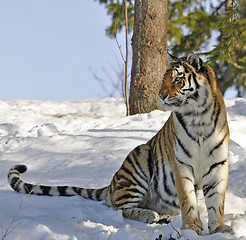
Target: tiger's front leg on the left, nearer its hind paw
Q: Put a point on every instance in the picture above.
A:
(184, 179)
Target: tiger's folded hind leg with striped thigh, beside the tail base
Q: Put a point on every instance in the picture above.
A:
(130, 185)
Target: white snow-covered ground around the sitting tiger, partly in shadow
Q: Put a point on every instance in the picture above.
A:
(83, 143)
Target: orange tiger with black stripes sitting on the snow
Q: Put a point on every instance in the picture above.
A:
(161, 178)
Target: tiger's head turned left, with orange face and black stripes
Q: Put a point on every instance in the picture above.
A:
(186, 83)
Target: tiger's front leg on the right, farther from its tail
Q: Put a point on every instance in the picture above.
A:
(214, 187)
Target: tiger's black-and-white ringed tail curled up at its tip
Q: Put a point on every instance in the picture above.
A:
(19, 186)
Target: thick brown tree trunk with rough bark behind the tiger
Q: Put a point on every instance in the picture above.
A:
(149, 43)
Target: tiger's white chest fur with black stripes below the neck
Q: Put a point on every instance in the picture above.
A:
(199, 143)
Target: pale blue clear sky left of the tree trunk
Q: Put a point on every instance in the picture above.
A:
(48, 46)
